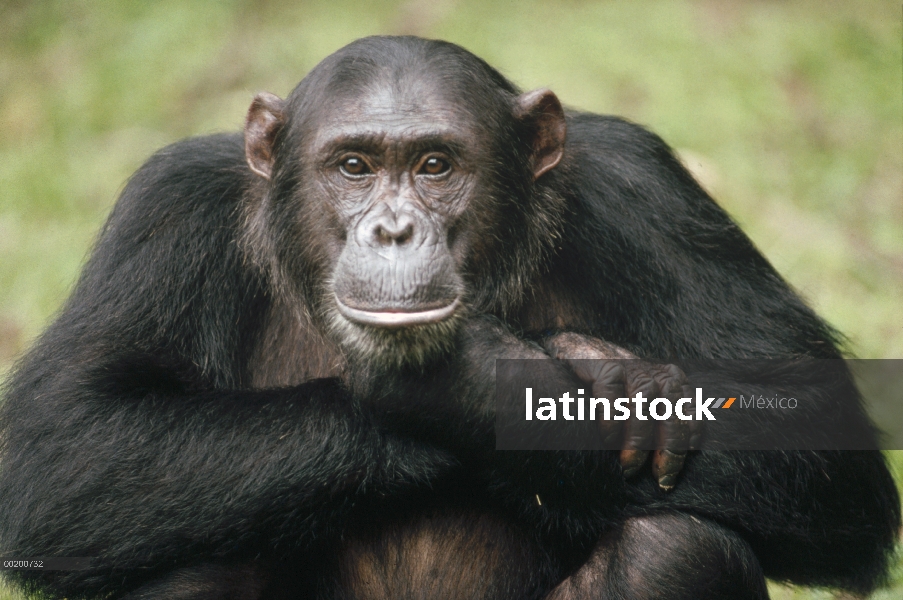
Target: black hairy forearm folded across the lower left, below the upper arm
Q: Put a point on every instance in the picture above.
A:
(145, 483)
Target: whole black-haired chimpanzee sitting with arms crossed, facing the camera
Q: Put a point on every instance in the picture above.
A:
(274, 378)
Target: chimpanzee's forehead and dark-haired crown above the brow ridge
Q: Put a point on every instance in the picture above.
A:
(402, 86)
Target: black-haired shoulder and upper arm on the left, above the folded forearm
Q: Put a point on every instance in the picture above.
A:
(167, 278)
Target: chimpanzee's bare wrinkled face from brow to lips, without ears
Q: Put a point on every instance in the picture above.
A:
(397, 171)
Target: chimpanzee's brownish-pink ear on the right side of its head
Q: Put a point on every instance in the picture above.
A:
(543, 111)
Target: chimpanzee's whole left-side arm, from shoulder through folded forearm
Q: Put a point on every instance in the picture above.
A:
(129, 433)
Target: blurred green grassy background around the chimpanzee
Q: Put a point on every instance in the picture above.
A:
(789, 113)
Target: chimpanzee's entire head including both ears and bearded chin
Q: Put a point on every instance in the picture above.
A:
(401, 191)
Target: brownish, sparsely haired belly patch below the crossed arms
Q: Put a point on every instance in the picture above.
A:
(441, 555)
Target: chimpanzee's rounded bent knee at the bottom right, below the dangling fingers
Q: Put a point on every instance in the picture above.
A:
(667, 556)
